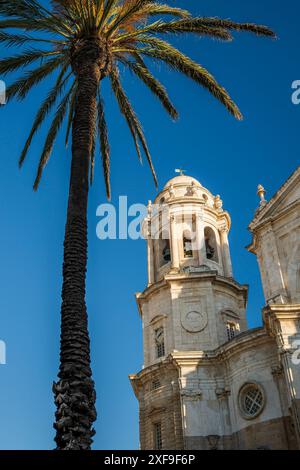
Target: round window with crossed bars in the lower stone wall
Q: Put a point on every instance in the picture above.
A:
(251, 400)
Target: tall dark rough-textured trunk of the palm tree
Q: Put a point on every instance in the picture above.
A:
(75, 392)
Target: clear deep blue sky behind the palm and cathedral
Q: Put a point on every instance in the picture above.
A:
(228, 157)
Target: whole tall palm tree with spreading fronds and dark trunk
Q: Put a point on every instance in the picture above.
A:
(80, 43)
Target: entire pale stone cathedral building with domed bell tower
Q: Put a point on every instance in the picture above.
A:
(208, 382)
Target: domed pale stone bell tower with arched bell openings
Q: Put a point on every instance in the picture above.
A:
(190, 307)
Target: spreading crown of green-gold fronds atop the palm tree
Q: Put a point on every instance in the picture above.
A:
(129, 30)
